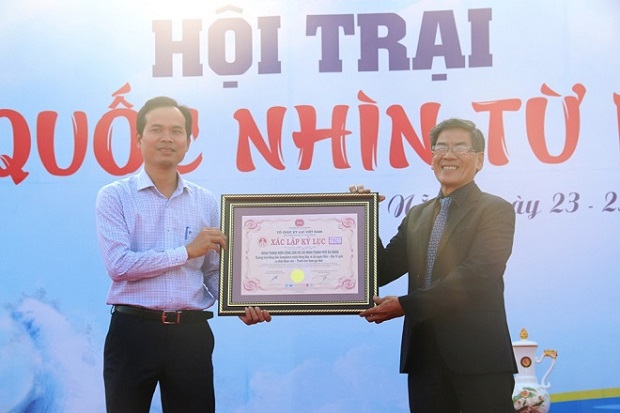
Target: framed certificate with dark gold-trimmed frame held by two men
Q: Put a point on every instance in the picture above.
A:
(299, 253)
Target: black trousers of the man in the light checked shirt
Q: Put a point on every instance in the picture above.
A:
(140, 353)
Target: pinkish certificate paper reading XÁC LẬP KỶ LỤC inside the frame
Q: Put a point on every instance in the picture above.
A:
(300, 254)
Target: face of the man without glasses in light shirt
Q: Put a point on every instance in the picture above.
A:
(164, 140)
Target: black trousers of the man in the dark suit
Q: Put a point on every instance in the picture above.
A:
(434, 388)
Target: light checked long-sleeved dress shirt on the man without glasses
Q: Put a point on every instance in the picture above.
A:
(142, 236)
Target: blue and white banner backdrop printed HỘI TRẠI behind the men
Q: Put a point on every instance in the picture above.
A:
(310, 97)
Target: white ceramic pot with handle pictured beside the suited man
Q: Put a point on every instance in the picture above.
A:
(529, 396)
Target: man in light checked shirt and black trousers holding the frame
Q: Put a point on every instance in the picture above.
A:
(160, 241)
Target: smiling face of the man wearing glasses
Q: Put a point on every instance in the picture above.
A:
(454, 171)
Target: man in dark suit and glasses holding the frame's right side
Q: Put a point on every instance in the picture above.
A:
(456, 347)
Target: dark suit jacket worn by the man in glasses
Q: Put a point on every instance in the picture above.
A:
(464, 306)
